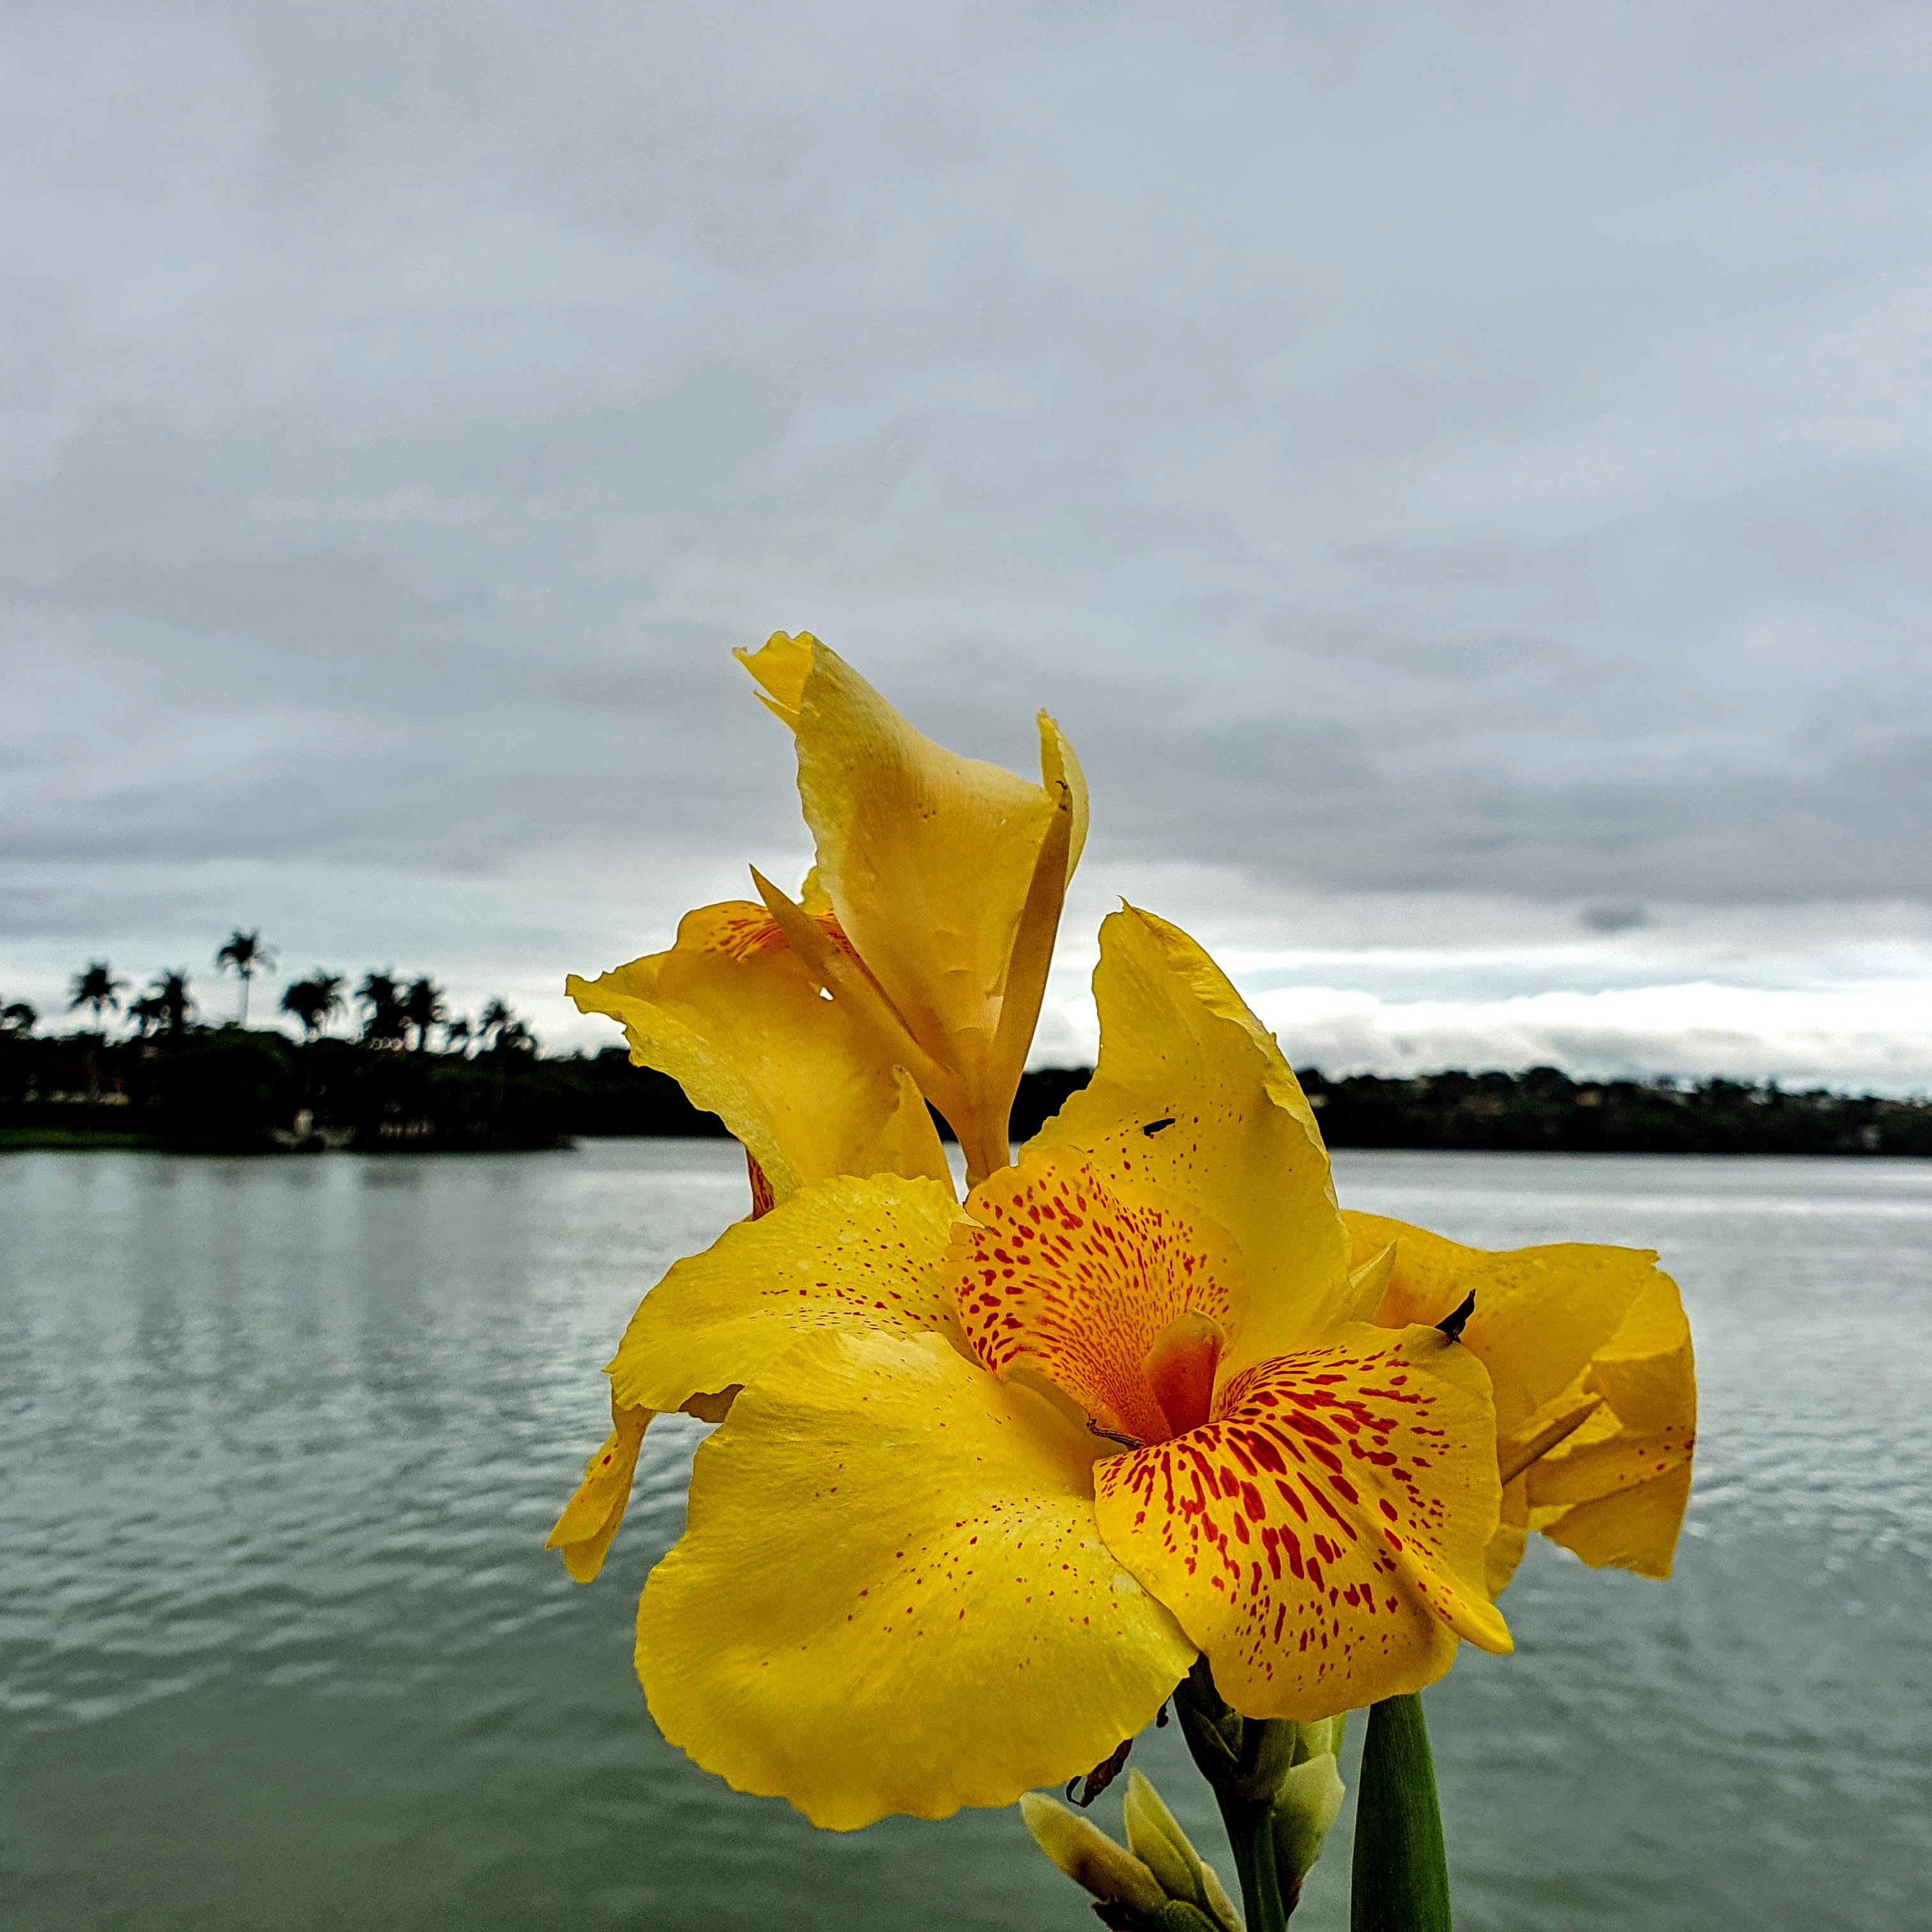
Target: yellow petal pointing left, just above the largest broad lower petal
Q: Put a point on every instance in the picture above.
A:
(849, 1255)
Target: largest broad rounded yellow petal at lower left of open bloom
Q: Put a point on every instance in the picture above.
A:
(892, 1595)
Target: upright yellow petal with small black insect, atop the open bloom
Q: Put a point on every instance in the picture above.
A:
(1193, 1098)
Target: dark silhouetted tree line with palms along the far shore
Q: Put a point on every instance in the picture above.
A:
(407, 1075)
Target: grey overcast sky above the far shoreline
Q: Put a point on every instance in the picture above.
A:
(1460, 474)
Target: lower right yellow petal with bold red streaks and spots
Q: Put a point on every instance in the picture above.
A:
(1324, 1537)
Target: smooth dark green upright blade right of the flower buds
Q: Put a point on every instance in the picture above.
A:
(1402, 1873)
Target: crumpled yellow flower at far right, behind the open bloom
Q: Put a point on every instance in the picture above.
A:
(1591, 1359)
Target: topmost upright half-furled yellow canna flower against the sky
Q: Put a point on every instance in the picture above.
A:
(946, 878)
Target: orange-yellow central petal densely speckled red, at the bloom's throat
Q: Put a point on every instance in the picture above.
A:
(1073, 1276)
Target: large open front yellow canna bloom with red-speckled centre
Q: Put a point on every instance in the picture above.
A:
(990, 1479)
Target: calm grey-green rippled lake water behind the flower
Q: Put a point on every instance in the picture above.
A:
(279, 1442)
